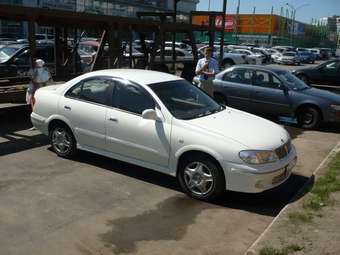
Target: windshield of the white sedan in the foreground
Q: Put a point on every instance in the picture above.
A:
(184, 100)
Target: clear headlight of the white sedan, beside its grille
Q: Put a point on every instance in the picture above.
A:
(258, 157)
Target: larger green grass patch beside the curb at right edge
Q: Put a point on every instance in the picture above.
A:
(320, 194)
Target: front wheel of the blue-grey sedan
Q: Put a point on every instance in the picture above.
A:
(309, 118)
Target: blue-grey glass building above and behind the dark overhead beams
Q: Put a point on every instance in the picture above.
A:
(125, 8)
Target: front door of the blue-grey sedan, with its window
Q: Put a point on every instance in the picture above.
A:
(270, 95)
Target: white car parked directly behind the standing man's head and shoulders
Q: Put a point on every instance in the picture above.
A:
(229, 58)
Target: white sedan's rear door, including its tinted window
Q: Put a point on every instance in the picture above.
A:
(85, 106)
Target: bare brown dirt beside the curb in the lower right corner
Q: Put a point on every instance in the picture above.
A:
(321, 236)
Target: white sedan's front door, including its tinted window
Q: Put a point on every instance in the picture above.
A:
(128, 134)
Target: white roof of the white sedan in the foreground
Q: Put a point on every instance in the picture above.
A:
(140, 76)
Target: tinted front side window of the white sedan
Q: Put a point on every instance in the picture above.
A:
(132, 98)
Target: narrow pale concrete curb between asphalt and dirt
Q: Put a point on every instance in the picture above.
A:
(251, 249)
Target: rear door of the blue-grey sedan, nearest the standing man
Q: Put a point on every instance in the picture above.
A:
(237, 88)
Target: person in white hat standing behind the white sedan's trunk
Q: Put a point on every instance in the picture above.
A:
(40, 75)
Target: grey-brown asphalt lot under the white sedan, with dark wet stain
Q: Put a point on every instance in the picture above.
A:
(96, 205)
